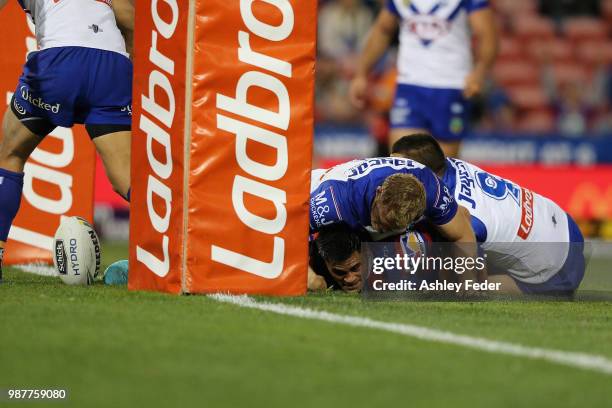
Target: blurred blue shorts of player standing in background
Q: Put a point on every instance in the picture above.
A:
(445, 113)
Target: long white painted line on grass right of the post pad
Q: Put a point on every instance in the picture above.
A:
(573, 359)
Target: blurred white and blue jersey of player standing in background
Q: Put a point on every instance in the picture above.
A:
(435, 41)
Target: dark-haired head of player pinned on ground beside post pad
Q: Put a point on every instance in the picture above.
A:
(340, 248)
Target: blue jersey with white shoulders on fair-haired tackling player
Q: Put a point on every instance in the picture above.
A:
(344, 193)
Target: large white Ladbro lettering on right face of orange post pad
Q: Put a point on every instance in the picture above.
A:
(259, 176)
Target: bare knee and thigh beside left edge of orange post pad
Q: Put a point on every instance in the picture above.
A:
(114, 150)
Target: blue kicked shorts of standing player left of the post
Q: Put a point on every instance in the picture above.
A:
(68, 85)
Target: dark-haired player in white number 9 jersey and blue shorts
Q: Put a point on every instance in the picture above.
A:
(525, 234)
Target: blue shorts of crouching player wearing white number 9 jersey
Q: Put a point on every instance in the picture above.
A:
(567, 280)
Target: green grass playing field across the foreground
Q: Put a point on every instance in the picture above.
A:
(111, 347)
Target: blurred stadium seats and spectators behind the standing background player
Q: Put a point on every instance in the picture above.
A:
(553, 74)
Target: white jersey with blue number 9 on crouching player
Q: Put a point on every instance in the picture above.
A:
(518, 227)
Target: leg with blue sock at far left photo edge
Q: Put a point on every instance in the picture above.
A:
(18, 143)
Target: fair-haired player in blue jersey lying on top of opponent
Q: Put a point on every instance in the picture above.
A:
(387, 195)
